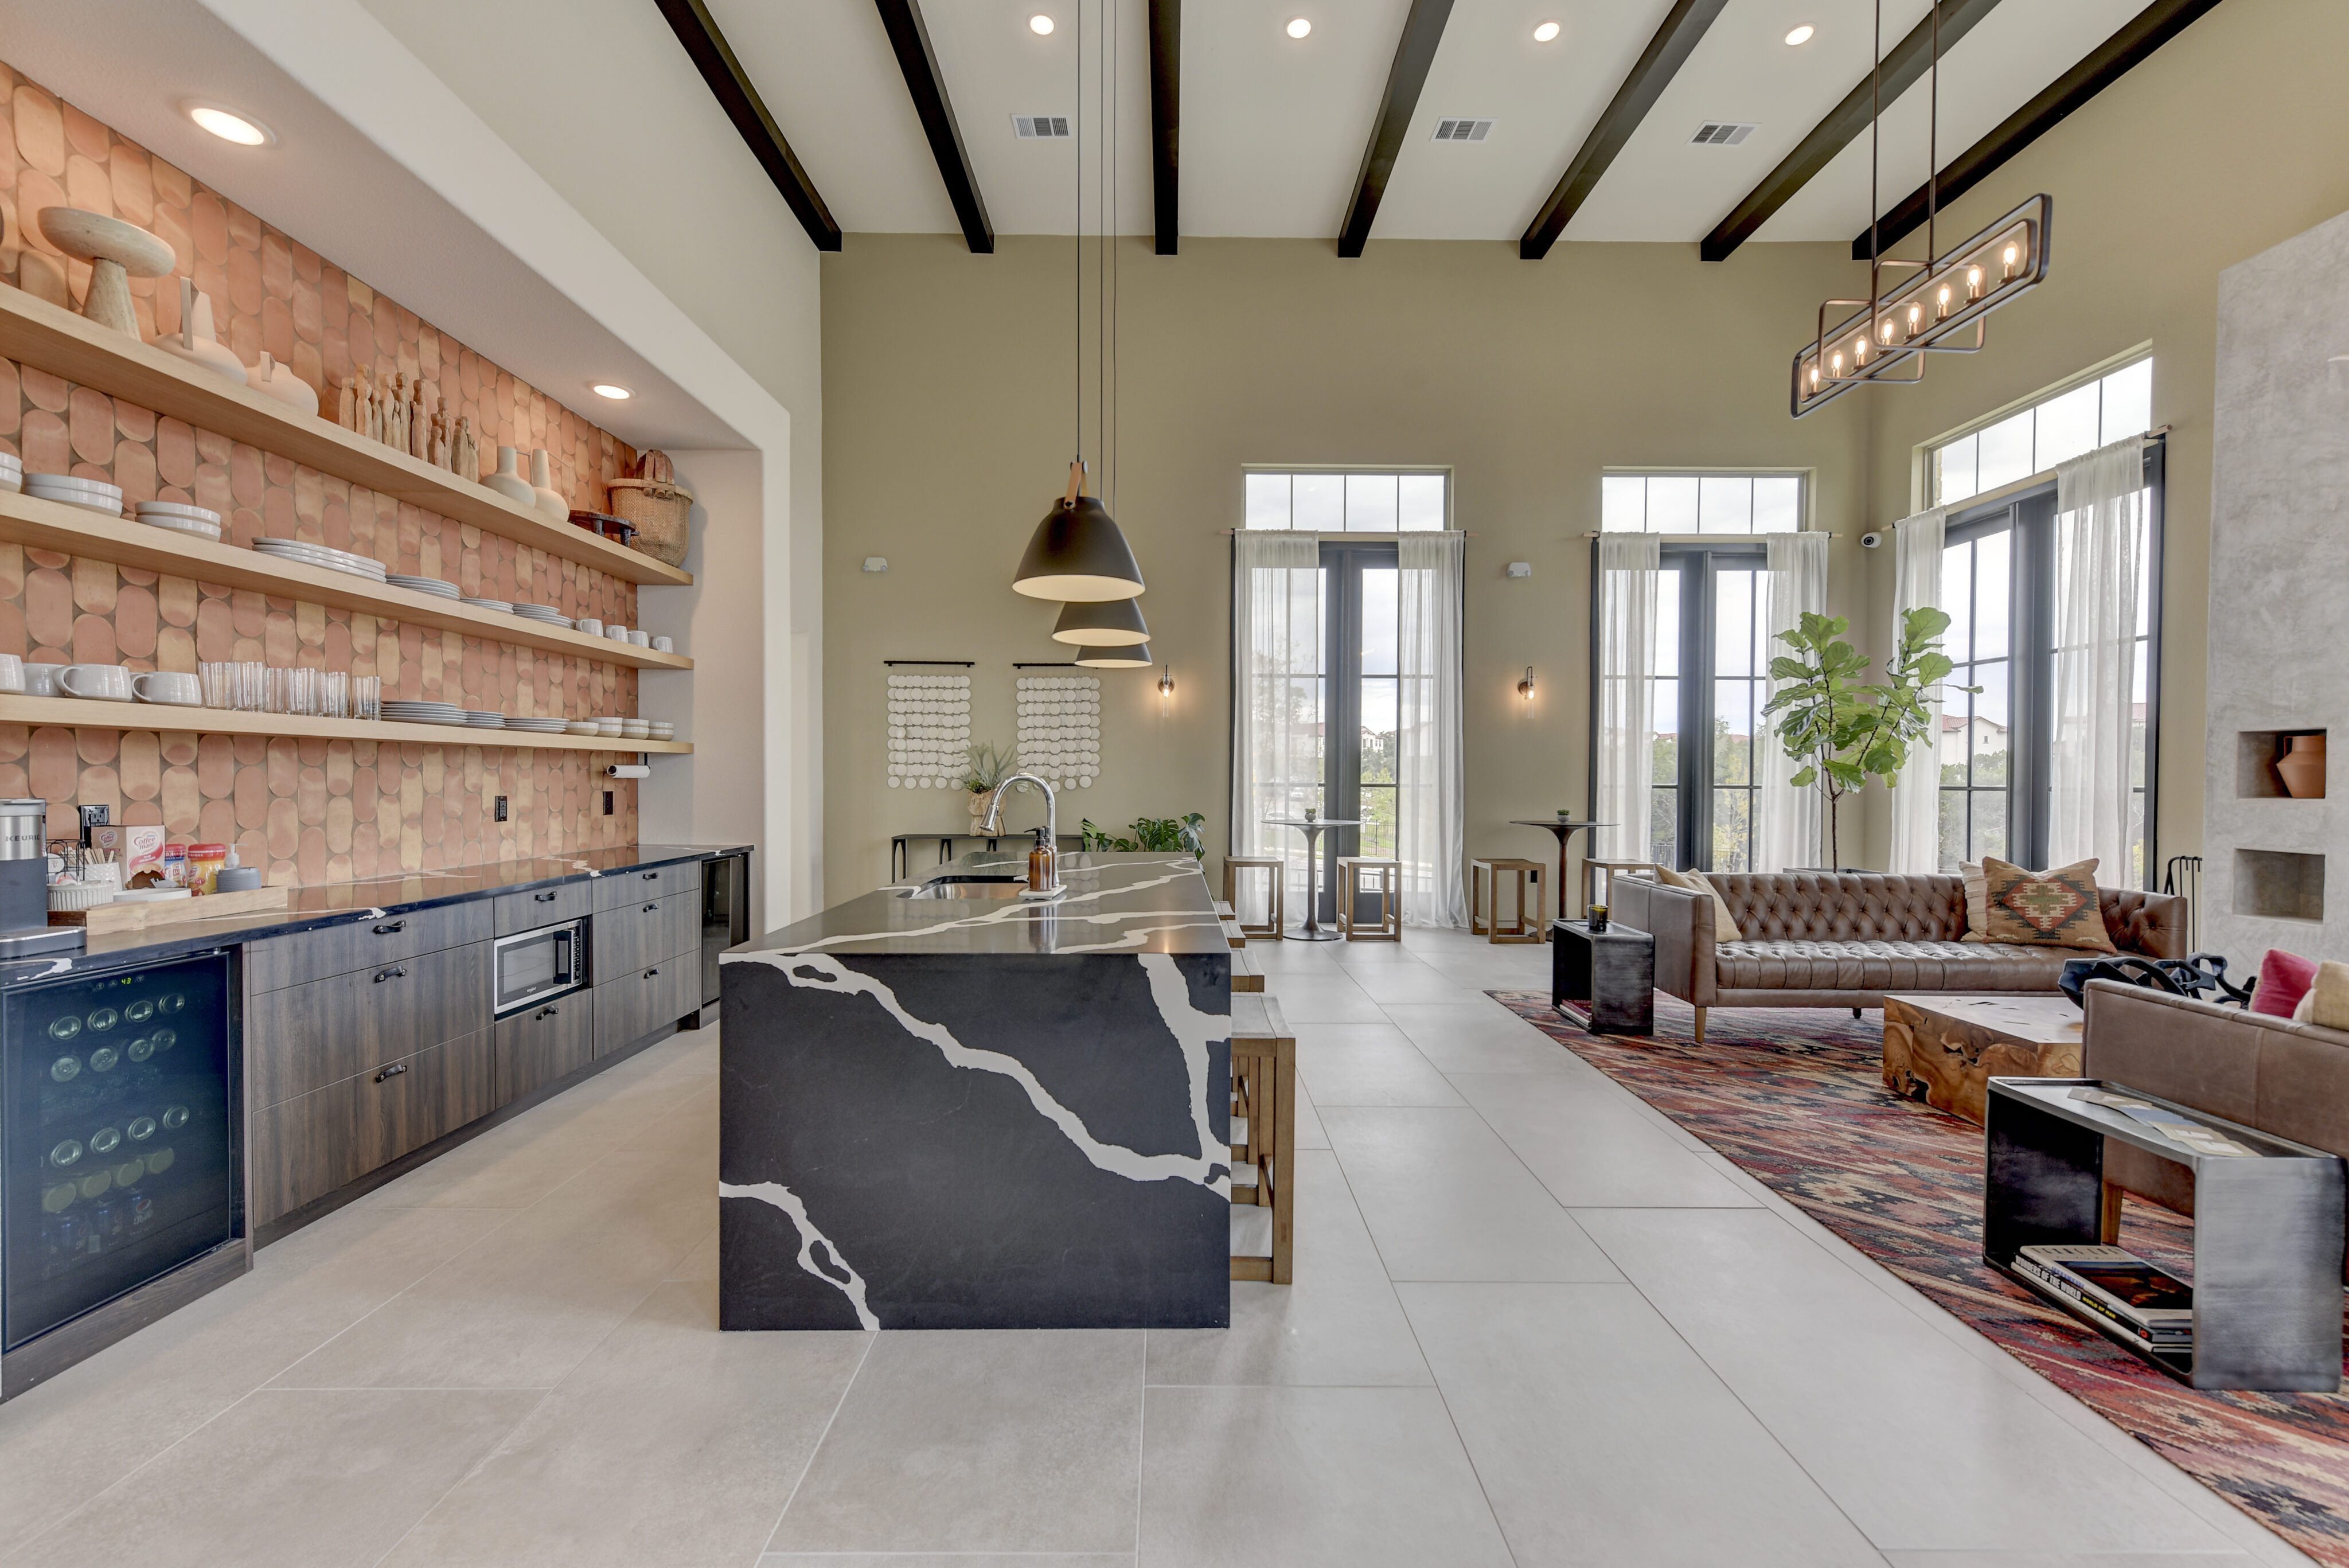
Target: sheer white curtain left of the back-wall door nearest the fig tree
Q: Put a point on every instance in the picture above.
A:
(1627, 763)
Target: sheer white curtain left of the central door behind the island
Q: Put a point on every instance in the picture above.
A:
(1277, 695)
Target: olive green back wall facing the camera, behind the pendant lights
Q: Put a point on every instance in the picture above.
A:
(950, 420)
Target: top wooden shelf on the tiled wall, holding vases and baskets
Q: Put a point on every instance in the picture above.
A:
(112, 363)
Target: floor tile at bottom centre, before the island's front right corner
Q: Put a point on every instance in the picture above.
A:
(1310, 1480)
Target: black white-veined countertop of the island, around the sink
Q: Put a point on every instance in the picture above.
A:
(1115, 904)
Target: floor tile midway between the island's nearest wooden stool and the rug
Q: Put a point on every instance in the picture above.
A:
(1448, 1200)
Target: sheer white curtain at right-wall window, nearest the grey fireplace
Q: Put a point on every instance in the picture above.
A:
(2101, 540)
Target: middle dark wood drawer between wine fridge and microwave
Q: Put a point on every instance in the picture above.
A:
(309, 1036)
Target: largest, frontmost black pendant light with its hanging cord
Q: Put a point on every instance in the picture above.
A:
(1079, 554)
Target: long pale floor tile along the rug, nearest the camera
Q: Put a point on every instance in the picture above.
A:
(1857, 1388)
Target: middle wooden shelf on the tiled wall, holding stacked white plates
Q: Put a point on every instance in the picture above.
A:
(76, 530)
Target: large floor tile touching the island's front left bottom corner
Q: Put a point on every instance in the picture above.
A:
(673, 1442)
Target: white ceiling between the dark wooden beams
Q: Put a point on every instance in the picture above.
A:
(1274, 128)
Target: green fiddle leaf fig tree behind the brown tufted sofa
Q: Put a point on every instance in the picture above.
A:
(1843, 730)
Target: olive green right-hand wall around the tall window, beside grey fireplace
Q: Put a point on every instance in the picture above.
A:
(2226, 142)
